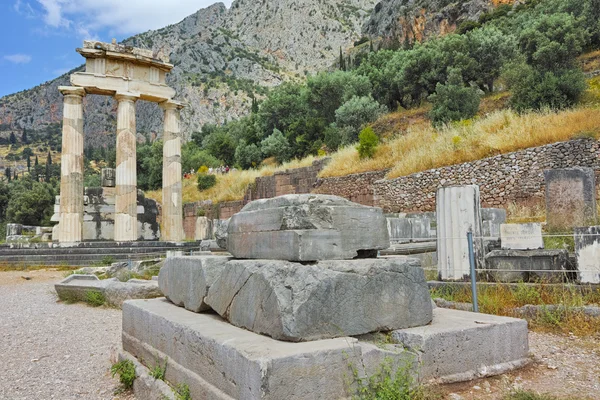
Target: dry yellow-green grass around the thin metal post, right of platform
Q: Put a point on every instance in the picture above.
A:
(503, 299)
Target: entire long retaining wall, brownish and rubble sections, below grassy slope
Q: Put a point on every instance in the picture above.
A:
(513, 177)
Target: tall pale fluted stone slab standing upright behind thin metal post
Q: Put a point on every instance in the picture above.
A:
(458, 212)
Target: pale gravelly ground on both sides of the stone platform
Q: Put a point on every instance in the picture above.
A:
(52, 350)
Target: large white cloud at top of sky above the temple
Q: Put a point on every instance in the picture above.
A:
(118, 16)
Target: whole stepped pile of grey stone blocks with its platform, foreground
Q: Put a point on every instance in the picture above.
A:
(299, 306)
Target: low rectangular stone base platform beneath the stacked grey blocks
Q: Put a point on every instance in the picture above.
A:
(220, 361)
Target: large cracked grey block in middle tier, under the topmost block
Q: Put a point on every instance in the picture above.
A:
(297, 302)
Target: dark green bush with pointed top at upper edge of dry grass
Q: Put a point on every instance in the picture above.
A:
(453, 101)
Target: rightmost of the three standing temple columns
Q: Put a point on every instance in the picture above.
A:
(172, 208)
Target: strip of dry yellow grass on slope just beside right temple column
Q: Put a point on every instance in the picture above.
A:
(231, 186)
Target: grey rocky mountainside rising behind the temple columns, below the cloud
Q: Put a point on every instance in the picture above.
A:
(222, 58)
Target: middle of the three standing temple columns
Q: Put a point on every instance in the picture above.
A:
(126, 175)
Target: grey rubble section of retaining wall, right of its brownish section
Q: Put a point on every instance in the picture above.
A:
(502, 179)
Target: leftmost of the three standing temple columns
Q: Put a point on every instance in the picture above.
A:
(70, 227)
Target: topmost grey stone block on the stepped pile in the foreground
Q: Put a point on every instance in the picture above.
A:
(307, 227)
